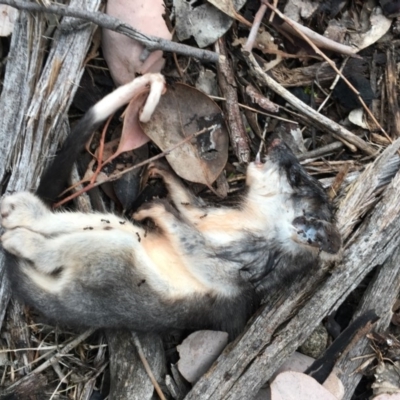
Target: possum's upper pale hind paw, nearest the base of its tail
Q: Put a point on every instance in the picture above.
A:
(21, 209)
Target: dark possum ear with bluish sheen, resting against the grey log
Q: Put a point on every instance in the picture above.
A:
(317, 233)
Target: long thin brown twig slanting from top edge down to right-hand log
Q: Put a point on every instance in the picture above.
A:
(330, 62)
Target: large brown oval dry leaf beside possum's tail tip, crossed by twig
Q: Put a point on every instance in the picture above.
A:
(183, 111)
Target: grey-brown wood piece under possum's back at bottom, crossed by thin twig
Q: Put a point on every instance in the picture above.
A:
(129, 379)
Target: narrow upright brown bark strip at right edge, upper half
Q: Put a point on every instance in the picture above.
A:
(392, 96)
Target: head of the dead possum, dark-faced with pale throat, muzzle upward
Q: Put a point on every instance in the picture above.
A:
(296, 195)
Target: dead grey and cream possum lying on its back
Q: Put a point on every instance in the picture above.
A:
(201, 268)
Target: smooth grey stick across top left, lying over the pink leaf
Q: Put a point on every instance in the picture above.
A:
(150, 42)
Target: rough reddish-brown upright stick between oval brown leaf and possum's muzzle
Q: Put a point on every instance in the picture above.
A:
(227, 84)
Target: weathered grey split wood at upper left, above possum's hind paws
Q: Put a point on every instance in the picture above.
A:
(33, 116)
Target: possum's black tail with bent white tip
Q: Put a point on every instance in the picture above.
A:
(55, 177)
